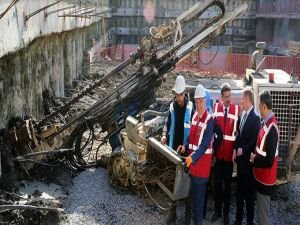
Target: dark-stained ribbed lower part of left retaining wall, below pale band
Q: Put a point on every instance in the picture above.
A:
(50, 62)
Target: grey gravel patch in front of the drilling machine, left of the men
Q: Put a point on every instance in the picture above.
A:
(93, 201)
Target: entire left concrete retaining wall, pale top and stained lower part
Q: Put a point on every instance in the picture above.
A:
(43, 52)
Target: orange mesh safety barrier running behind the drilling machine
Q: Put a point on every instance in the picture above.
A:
(209, 63)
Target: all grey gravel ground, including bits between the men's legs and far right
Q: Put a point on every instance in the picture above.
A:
(93, 201)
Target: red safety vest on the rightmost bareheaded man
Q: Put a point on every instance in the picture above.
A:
(266, 176)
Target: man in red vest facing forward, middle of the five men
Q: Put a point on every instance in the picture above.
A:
(226, 114)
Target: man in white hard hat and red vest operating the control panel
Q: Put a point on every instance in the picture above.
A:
(199, 149)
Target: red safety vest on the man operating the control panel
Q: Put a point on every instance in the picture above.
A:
(202, 167)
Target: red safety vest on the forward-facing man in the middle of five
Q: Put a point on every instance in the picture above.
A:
(229, 129)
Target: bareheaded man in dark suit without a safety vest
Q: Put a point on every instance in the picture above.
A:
(249, 127)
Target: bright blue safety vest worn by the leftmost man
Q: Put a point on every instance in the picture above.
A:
(187, 125)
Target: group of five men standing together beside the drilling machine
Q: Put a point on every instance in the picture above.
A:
(216, 140)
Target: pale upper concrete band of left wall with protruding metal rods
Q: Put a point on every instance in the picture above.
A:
(17, 33)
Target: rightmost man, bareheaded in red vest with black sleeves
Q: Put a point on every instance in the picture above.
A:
(265, 158)
